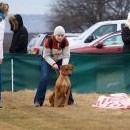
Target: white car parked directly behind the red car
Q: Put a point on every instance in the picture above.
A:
(97, 30)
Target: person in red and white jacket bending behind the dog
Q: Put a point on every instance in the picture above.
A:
(54, 55)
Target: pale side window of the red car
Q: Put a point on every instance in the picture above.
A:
(113, 41)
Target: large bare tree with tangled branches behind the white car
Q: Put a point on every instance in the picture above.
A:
(77, 15)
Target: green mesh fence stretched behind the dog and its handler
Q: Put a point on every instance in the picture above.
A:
(103, 73)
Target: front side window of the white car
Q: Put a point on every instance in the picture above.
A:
(104, 30)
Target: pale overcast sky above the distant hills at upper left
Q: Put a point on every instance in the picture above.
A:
(28, 6)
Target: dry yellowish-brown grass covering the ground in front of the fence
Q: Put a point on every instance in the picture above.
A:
(20, 114)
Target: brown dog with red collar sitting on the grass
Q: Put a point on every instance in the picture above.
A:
(60, 96)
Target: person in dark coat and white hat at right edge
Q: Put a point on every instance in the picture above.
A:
(126, 35)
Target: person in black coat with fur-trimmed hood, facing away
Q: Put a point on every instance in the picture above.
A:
(20, 35)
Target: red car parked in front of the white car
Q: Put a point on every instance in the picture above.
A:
(109, 43)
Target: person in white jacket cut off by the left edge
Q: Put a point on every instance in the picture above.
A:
(3, 13)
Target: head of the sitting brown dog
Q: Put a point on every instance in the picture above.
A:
(66, 69)
